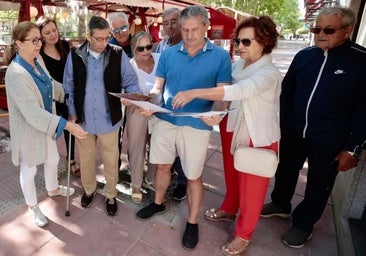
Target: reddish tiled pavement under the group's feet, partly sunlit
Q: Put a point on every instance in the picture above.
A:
(91, 232)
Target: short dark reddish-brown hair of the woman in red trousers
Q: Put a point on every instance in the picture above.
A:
(265, 31)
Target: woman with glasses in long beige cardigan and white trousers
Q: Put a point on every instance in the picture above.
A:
(34, 125)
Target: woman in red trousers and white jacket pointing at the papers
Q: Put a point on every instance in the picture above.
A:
(255, 96)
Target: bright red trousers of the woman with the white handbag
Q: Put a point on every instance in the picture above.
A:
(245, 193)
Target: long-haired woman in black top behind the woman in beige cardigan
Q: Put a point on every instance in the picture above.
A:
(54, 53)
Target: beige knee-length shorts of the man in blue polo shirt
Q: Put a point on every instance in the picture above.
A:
(190, 144)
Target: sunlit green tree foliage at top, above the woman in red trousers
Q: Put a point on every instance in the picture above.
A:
(284, 12)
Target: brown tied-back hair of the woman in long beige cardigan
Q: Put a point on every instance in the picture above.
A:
(20, 32)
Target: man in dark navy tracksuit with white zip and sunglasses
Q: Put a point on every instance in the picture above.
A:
(323, 120)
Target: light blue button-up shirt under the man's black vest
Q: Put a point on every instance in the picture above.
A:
(96, 109)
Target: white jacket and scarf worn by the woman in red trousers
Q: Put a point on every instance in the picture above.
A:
(255, 89)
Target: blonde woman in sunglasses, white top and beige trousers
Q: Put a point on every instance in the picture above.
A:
(144, 63)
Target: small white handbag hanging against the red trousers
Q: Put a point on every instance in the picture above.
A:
(256, 161)
